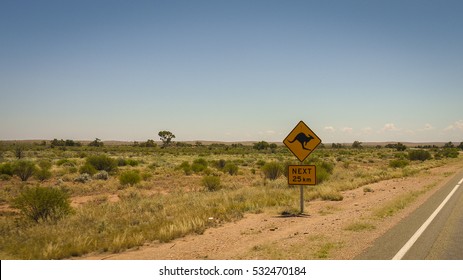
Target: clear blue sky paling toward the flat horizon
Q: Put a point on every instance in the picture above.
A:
(231, 70)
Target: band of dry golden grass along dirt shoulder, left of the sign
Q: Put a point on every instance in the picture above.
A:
(136, 219)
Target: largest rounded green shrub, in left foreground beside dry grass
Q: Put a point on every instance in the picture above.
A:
(43, 203)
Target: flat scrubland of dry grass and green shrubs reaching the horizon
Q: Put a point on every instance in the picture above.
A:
(62, 199)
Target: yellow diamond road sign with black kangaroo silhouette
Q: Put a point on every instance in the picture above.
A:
(301, 141)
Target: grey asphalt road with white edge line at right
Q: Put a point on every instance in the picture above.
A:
(441, 239)
